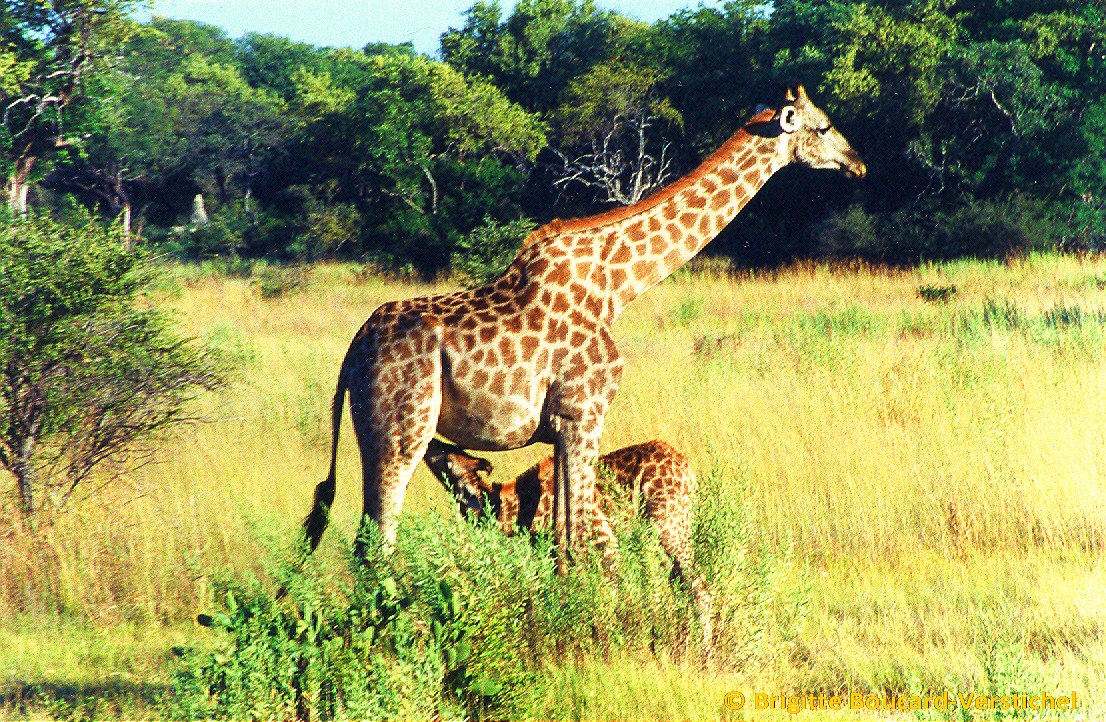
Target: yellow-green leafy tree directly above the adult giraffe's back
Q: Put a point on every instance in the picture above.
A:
(424, 152)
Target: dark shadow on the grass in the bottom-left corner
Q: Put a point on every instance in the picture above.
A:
(108, 699)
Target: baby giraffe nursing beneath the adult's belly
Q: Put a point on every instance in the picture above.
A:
(658, 476)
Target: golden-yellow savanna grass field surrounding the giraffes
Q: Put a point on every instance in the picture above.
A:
(922, 456)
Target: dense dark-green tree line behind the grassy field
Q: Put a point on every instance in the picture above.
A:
(984, 125)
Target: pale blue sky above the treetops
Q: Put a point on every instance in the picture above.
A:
(356, 23)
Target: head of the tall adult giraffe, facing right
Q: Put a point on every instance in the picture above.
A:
(815, 141)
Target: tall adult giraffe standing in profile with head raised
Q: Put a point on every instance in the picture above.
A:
(530, 358)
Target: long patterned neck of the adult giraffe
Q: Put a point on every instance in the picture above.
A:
(651, 246)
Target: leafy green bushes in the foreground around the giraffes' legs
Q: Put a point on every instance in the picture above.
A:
(458, 620)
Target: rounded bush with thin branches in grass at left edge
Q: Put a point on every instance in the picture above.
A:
(89, 373)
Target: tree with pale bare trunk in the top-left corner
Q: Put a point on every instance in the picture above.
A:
(49, 49)
